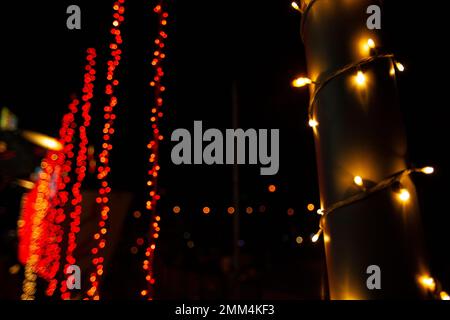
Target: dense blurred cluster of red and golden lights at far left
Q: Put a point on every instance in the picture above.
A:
(40, 230)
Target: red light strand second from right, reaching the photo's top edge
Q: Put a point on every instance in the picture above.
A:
(104, 157)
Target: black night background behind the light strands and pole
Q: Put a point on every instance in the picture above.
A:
(212, 44)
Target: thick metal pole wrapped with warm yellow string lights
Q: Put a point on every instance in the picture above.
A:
(360, 133)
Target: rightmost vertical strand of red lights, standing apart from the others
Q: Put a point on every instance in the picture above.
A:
(153, 146)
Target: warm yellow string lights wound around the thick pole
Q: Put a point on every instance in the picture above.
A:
(393, 181)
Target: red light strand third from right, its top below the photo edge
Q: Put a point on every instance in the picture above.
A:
(81, 165)
